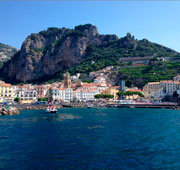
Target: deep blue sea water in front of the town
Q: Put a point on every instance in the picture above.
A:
(95, 138)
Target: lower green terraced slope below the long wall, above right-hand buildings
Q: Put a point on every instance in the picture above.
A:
(154, 72)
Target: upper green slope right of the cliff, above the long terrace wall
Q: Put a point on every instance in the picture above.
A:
(99, 57)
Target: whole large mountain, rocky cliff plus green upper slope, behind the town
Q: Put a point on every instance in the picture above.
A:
(83, 49)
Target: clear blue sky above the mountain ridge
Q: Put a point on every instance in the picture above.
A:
(157, 21)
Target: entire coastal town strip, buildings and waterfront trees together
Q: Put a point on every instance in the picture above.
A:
(73, 90)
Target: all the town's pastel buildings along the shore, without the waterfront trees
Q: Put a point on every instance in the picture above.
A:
(73, 89)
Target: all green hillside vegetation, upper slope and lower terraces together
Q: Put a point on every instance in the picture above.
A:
(110, 53)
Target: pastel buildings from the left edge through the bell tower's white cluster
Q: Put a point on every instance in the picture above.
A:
(71, 89)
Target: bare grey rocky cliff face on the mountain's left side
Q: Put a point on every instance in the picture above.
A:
(53, 50)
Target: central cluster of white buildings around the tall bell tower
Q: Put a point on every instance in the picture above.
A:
(77, 91)
